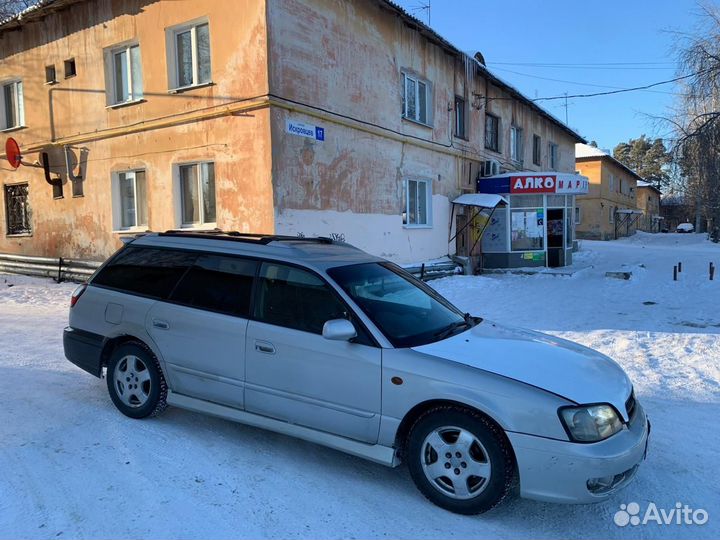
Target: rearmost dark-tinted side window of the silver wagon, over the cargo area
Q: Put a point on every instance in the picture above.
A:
(147, 271)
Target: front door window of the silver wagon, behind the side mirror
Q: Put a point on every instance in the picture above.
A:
(294, 298)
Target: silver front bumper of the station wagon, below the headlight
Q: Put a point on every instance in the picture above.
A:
(558, 471)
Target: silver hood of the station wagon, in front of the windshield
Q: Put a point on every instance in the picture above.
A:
(559, 366)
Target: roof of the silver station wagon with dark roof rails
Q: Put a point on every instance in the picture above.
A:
(317, 252)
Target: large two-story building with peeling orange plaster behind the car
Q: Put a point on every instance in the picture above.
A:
(342, 118)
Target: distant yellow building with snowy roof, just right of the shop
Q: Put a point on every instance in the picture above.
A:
(609, 209)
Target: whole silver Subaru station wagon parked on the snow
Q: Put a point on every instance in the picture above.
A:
(319, 340)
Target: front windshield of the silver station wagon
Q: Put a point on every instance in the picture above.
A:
(406, 310)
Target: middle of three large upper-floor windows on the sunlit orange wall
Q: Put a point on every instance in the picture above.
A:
(124, 69)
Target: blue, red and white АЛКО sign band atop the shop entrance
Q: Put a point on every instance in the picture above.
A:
(529, 182)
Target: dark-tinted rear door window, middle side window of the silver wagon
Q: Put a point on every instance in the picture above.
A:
(218, 283)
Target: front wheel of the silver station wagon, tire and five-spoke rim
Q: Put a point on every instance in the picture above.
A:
(460, 460)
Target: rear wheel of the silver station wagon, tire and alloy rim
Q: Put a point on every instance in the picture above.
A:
(135, 381)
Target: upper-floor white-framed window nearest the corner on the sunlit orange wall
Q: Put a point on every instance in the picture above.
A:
(189, 55)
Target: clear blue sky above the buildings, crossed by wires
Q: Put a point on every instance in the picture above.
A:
(576, 32)
